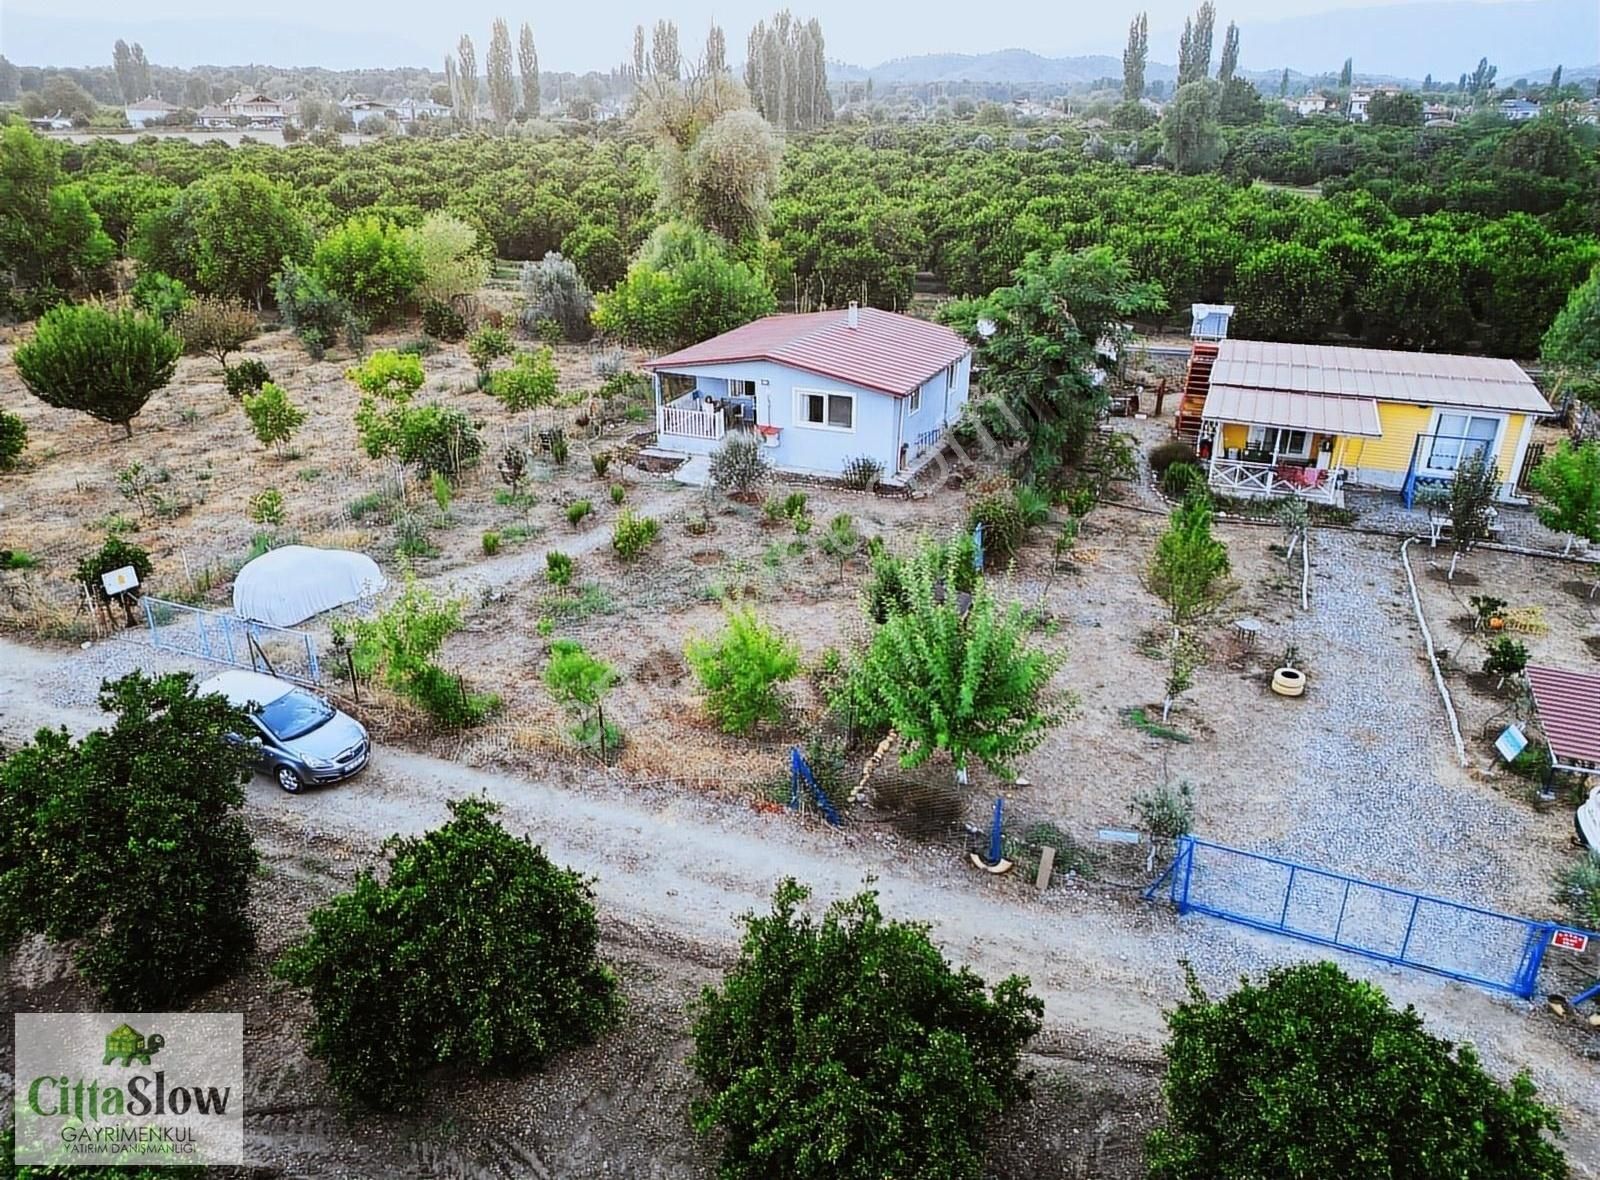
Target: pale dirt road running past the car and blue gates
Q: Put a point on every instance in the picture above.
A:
(1105, 963)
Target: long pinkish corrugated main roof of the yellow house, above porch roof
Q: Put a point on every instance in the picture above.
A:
(1422, 378)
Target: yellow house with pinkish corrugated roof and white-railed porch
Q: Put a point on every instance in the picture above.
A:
(1308, 420)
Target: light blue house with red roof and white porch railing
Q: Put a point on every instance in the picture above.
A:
(820, 389)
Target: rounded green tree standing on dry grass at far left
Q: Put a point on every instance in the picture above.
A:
(98, 362)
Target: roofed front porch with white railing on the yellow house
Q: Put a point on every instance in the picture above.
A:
(1273, 445)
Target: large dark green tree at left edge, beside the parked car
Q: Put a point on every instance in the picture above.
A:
(174, 919)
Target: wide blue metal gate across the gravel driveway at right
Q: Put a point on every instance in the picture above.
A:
(1463, 943)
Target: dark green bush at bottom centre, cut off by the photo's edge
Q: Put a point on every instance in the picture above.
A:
(807, 1015)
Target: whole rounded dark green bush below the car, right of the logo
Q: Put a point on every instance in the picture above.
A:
(422, 970)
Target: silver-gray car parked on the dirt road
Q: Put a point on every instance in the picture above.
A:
(300, 739)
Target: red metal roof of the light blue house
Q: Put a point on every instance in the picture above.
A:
(889, 353)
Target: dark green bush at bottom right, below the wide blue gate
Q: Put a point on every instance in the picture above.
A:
(1302, 1075)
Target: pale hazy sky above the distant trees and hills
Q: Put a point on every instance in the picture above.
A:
(598, 34)
